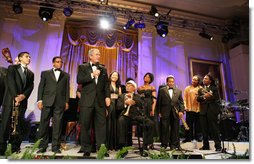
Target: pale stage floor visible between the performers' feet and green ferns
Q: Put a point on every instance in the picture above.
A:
(190, 149)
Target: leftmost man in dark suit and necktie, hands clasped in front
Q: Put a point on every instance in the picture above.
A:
(20, 83)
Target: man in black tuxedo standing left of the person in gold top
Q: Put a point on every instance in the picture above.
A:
(170, 108)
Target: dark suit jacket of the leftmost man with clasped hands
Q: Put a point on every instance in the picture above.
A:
(15, 85)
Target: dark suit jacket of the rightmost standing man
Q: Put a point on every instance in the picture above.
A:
(211, 104)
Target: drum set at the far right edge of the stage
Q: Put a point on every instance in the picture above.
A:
(234, 120)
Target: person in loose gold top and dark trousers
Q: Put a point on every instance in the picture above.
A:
(192, 110)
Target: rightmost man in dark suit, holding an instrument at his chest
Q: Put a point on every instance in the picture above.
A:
(209, 98)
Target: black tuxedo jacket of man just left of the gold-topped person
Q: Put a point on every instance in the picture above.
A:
(165, 103)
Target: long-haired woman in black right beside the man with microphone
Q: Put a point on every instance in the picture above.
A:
(115, 91)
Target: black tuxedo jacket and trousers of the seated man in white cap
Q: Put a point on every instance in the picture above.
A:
(136, 113)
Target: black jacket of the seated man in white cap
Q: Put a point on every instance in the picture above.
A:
(134, 110)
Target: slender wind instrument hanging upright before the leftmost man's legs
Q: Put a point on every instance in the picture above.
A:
(14, 119)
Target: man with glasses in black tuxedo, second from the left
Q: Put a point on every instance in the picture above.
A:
(53, 97)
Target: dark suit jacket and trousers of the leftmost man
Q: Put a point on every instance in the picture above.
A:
(15, 86)
